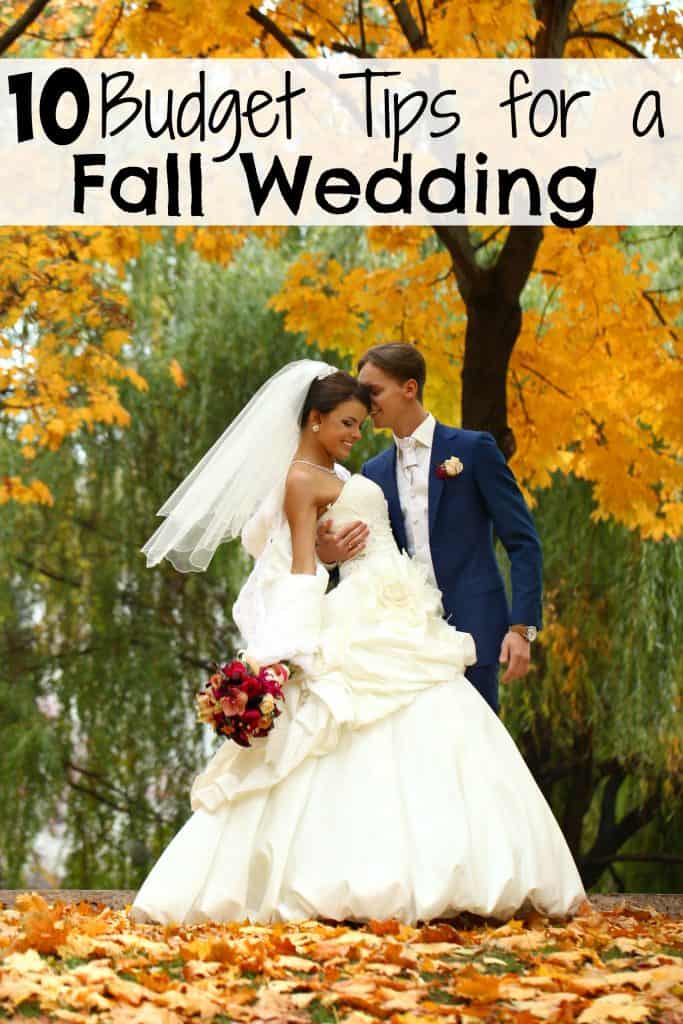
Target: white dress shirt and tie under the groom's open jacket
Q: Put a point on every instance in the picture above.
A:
(414, 455)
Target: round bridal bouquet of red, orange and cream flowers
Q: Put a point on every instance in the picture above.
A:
(239, 700)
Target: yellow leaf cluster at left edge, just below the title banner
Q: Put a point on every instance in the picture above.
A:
(56, 285)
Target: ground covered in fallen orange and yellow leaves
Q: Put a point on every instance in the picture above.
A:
(76, 963)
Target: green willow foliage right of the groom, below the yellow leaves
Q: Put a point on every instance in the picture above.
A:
(600, 720)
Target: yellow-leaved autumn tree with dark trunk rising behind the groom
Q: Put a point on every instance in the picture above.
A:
(560, 343)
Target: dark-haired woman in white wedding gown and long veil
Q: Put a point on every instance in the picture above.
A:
(388, 788)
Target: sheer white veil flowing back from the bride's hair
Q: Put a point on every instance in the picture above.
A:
(245, 465)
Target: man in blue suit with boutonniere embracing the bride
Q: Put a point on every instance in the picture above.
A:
(448, 491)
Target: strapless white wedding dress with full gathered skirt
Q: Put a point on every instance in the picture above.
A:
(388, 788)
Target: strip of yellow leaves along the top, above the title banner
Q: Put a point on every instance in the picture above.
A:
(449, 29)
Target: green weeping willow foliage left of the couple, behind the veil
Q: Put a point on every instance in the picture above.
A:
(118, 649)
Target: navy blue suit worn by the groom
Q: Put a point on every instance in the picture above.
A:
(464, 511)
